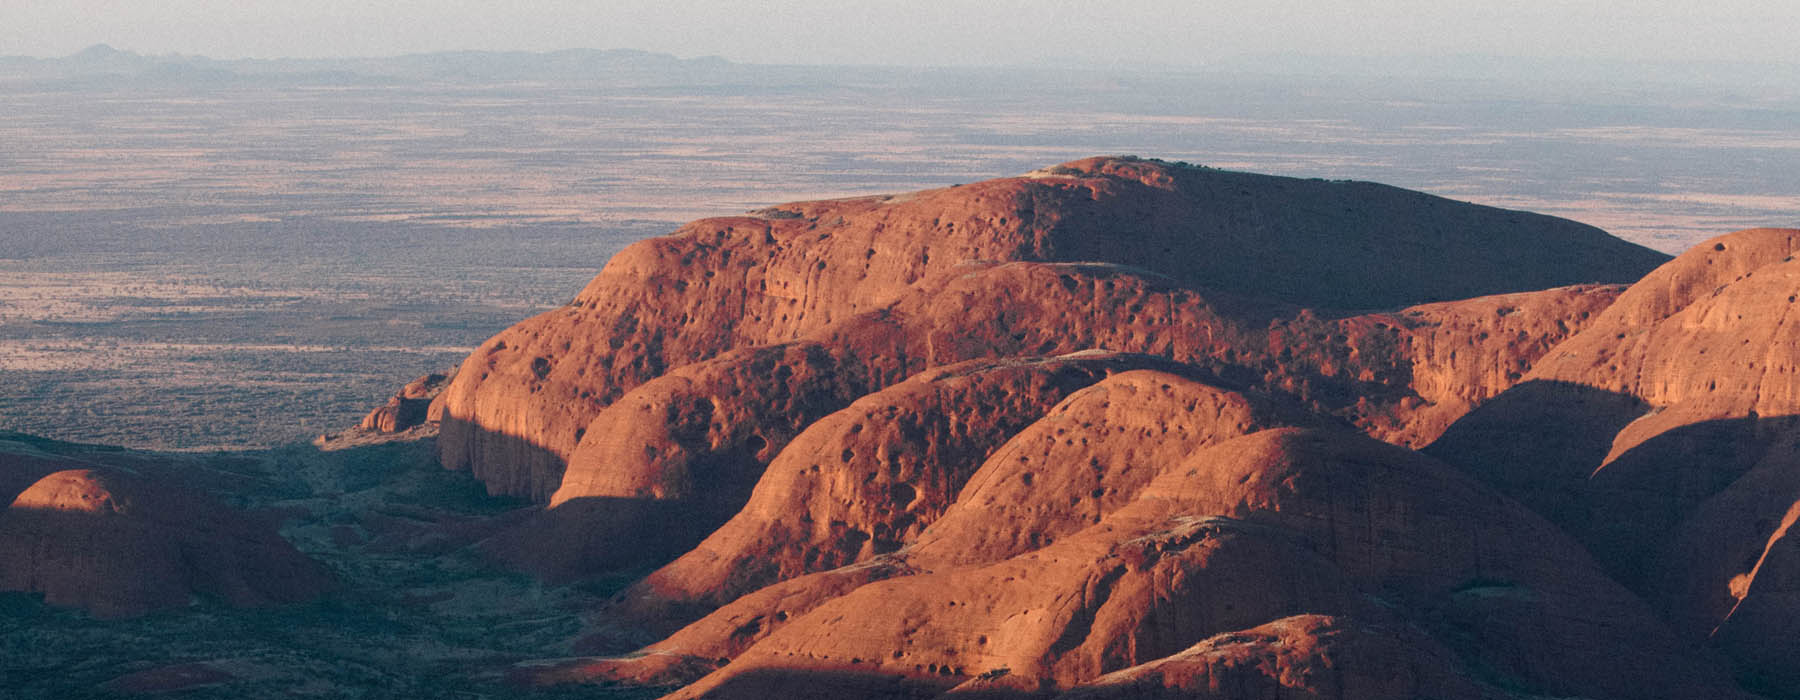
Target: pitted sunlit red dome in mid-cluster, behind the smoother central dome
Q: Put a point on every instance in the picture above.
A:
(868, 480)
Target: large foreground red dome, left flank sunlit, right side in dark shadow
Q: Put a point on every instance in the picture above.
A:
(1245, 534)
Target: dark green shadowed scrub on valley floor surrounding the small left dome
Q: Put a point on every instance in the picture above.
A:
(413, 615)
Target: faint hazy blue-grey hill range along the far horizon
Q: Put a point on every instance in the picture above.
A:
(642, 67)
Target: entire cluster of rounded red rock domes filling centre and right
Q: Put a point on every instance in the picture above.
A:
(895, 526)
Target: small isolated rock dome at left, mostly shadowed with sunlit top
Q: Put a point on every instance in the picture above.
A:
(118, 546)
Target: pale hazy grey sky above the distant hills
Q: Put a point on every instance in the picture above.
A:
(921, 31)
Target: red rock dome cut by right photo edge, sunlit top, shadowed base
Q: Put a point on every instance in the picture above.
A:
(1664, 436)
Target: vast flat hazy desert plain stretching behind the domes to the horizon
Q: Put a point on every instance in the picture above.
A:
(201, 258)
